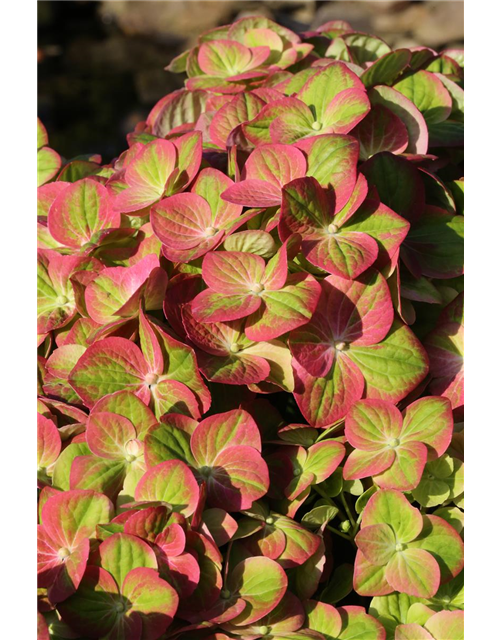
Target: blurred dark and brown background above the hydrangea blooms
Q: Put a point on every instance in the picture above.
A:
(101, 62)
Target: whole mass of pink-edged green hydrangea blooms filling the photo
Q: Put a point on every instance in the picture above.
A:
(250, 352)
